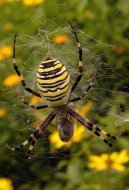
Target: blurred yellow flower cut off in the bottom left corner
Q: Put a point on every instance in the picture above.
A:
(5, 184)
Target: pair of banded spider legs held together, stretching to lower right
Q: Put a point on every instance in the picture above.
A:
(91, 126)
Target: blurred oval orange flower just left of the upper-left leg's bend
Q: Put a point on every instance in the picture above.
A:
(11, 80)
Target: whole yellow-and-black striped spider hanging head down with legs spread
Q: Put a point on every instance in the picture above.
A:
(55, 86)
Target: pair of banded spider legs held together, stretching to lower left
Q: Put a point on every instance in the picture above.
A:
(36, 134)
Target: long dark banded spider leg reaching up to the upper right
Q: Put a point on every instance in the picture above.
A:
(80, 57)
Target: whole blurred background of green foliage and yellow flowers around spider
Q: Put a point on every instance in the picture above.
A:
(86, 162)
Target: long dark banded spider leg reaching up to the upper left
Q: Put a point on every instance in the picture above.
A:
(18, 72)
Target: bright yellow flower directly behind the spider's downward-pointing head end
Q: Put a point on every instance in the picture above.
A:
(78, 135)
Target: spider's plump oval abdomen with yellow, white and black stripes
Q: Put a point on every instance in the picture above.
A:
(54, 82)
